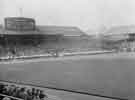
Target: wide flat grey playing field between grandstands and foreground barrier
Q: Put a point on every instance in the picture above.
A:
(109, 75)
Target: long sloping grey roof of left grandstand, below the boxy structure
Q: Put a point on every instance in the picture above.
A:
(48, 30)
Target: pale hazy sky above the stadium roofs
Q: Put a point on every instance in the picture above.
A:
(85, 14)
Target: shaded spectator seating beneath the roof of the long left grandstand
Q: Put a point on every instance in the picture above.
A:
(48, 48)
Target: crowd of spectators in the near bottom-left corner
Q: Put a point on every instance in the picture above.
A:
(21, 92)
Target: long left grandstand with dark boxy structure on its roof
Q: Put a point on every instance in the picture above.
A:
(22, 37)
